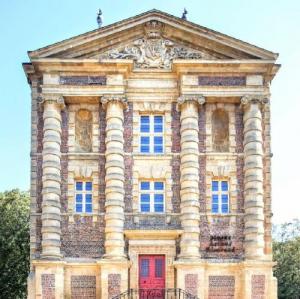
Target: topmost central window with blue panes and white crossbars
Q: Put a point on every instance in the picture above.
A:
(151, 134)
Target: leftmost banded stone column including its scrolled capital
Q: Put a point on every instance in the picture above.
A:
(51, 192)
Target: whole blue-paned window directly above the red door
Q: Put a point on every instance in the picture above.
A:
(152, 197)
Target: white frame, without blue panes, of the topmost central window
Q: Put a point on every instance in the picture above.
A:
(152, 134)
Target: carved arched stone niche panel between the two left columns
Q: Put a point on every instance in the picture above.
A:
(83, 130)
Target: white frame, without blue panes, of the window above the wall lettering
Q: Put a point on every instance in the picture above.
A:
(219, 193)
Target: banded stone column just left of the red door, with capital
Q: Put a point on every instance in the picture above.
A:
(114, 178)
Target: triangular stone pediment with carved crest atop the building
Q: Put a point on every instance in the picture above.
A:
(153, 39)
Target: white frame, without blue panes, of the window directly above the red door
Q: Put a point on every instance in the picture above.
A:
(152, 192)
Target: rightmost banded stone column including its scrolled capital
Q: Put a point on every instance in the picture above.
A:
(253, 172)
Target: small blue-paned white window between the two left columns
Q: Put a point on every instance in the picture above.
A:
(83, 197)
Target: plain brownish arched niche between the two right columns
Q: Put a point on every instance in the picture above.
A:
(220, 131)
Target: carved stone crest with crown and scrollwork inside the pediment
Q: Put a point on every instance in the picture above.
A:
(153, 51)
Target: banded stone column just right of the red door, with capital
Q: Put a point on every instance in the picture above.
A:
(189, 176)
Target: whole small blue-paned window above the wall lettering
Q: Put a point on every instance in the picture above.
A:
(220, 197)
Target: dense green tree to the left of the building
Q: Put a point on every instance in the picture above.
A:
(14, 243)
